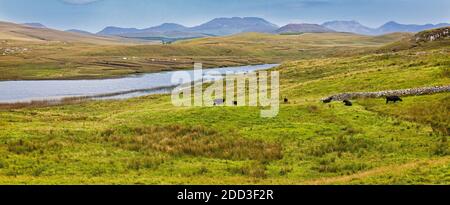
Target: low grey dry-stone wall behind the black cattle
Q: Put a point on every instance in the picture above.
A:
(404, 92)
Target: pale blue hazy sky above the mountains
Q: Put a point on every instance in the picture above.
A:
(94, 15)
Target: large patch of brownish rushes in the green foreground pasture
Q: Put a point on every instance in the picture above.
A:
(195, 141)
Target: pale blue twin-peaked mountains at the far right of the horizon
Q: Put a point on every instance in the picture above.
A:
(390, 27)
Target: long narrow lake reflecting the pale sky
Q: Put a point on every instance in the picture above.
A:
(119, 88)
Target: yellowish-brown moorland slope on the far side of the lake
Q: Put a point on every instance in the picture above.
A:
(74, 57)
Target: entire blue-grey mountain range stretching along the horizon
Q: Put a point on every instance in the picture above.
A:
(234, 25)
